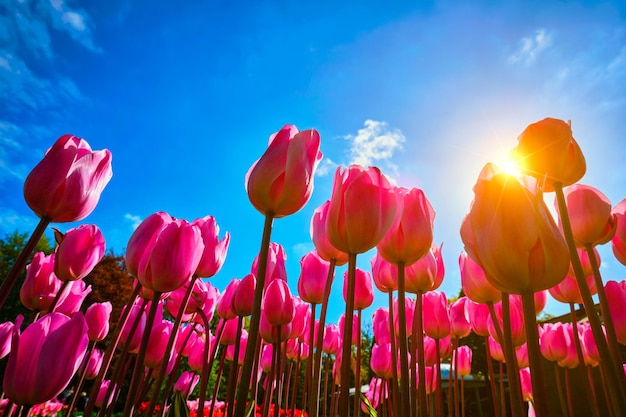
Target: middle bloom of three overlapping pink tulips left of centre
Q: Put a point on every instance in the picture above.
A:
(173, 259)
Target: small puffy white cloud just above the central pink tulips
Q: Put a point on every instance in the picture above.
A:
(375, 144)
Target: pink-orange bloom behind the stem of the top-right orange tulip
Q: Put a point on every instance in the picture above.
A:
(590, 215)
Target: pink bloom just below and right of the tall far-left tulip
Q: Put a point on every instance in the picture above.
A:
(79, 252)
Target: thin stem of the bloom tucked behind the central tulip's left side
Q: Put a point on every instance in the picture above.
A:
(314, 402)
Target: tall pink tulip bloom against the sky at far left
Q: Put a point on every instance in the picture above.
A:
(66, 184)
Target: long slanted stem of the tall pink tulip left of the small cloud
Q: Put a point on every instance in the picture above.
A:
(253, 330)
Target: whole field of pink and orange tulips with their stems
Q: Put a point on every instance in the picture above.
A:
(183, 347)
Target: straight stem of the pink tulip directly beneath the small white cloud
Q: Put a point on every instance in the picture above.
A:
(346, 348)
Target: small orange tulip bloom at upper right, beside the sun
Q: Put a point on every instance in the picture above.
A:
(548, 151)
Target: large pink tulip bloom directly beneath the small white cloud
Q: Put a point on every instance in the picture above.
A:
(362, 209)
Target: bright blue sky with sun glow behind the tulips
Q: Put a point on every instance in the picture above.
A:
(186, 95)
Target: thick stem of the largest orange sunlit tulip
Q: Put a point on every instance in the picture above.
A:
(534, 355)
